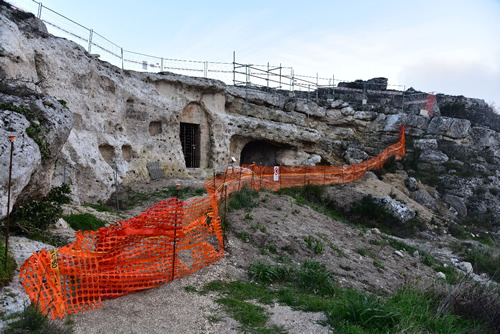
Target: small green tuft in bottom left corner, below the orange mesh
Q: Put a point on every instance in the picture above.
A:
(31, 320)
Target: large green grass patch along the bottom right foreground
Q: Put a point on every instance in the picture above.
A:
(411, 309)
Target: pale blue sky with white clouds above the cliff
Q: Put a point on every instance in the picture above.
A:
(439, 46)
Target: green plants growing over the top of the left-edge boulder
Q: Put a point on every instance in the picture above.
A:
(36, 131)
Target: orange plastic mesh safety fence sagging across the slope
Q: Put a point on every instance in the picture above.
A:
(169, 240)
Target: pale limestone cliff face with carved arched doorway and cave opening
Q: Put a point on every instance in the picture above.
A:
(124, 119)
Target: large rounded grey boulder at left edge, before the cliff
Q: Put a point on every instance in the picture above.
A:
(41, 125)
